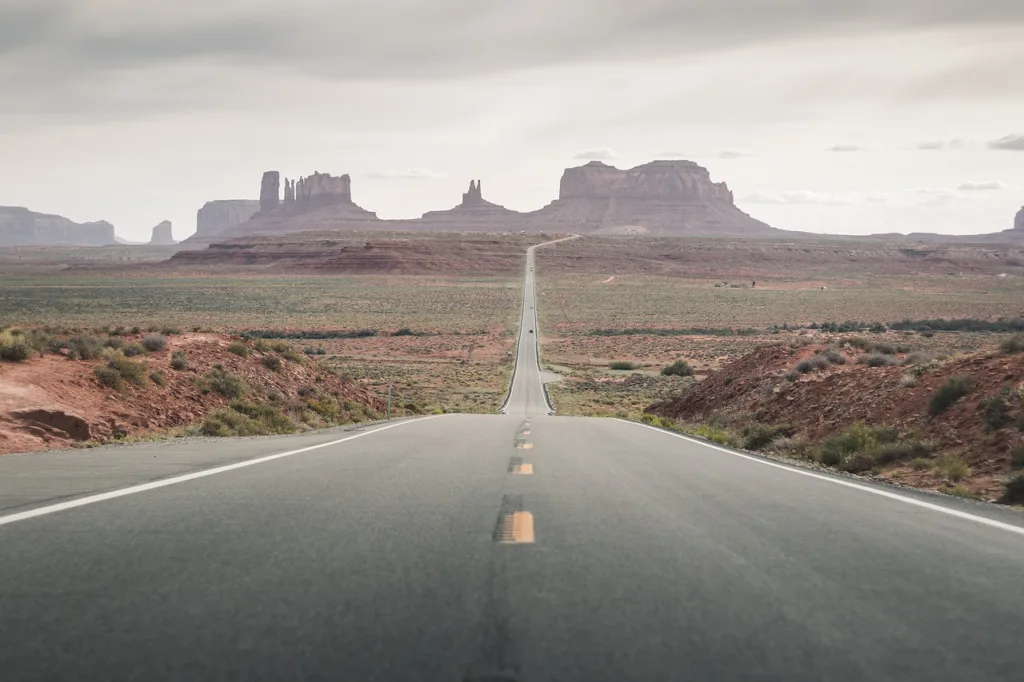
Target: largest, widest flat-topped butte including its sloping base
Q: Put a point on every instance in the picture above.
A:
(662, 197)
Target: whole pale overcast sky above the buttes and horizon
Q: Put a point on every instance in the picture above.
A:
(822, 115)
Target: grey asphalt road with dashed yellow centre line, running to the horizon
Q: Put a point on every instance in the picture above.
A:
(506, 547)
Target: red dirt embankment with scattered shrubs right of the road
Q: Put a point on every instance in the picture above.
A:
(824, 403)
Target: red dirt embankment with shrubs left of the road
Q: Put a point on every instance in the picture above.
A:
(53, 402)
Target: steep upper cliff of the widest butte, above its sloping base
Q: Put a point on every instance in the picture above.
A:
(667, 181)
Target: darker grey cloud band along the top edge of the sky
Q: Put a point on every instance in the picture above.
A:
(69, 51)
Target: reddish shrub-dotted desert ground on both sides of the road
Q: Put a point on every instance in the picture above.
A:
(779, 347)
